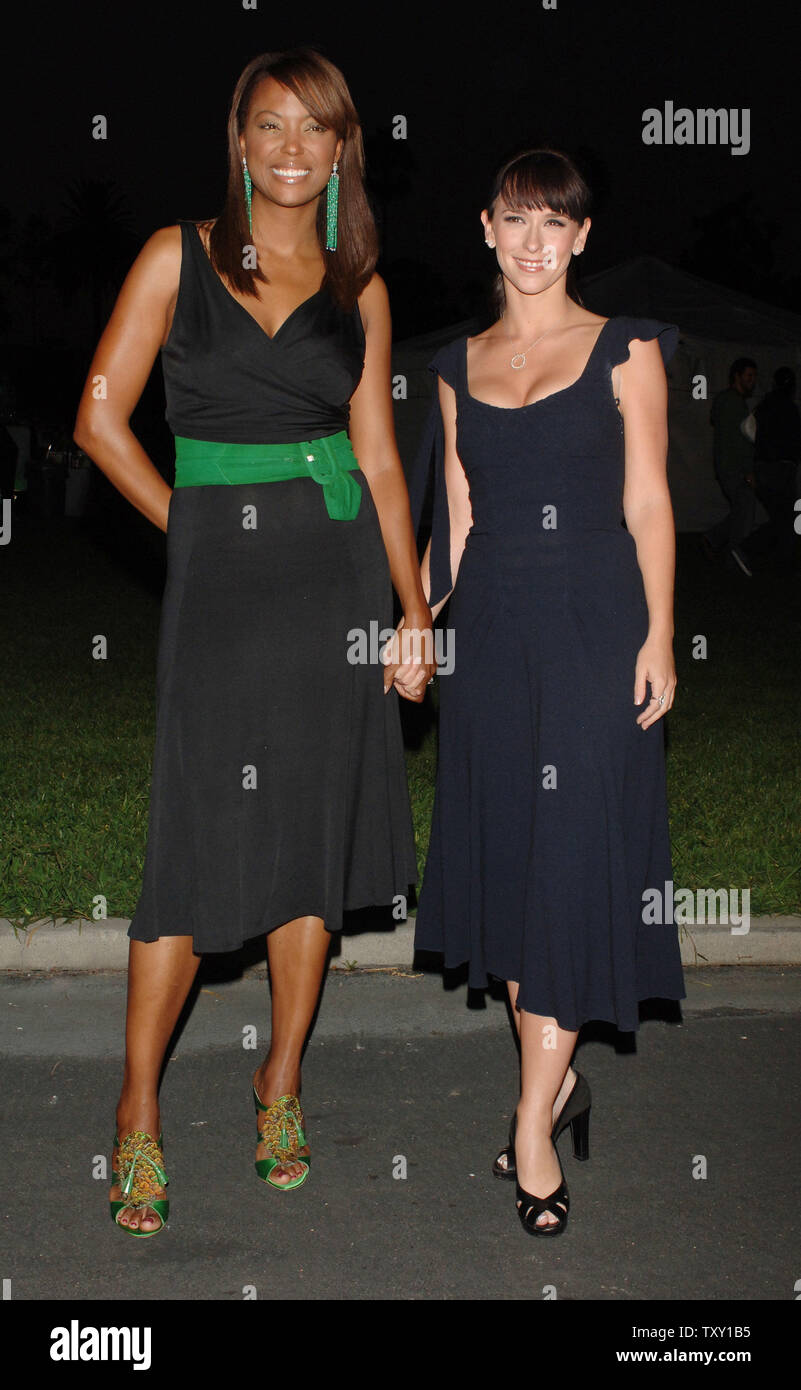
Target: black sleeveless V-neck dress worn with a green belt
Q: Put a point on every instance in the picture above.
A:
(279, 775)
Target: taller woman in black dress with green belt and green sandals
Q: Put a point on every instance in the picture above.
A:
(279, 793)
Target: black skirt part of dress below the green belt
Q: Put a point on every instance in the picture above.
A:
(279, 785)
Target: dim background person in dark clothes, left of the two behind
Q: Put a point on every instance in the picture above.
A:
(734, 466)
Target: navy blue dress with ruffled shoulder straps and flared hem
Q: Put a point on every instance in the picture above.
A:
(550, 817)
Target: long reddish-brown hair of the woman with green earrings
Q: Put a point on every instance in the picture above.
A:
(322, 88)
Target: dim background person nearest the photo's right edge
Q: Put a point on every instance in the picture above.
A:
(777, 455)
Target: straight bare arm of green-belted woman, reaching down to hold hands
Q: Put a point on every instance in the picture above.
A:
(373, 439)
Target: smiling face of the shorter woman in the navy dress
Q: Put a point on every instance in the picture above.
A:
(535, 247)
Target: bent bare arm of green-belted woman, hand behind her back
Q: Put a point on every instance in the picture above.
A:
(123, 362)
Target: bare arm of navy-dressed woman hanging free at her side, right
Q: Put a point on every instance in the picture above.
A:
(650, 518)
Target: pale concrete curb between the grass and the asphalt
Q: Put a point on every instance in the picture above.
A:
(104, 946)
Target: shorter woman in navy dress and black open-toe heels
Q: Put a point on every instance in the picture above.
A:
(550, 818)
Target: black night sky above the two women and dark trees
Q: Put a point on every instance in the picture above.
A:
(474, 85)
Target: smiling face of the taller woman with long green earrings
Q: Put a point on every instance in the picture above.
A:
(290, 152)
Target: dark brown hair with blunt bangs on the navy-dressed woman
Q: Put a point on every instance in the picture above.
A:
(542, 179)
